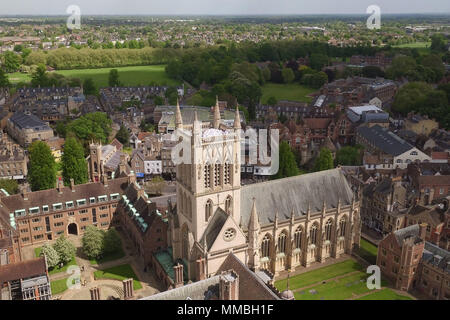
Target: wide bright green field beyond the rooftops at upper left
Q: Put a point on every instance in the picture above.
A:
(129, 76)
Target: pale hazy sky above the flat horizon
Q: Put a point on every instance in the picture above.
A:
(220, 7)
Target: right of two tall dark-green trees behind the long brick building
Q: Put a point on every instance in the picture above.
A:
(73, 162)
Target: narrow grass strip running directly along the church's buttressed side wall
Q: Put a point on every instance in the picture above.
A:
(311, 277)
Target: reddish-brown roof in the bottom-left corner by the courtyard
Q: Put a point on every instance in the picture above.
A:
(23, 269)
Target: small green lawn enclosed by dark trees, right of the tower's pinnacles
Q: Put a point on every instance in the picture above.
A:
(292, 92)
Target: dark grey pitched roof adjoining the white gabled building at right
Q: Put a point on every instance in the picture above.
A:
(384, 140)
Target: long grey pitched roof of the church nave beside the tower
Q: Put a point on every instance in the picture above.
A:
(295, 193)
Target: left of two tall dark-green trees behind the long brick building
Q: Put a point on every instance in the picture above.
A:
(42, 167)
